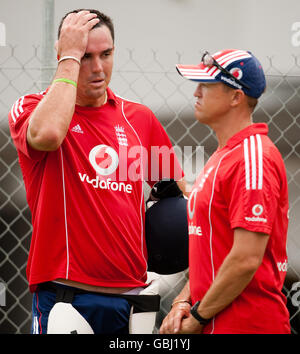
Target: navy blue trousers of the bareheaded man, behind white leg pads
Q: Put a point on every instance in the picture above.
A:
(105, 314)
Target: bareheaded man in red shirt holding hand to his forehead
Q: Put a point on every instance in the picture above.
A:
(85, 153)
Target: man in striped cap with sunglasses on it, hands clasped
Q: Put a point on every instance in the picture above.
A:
(237, 210)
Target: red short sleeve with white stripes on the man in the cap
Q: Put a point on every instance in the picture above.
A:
(252, 195)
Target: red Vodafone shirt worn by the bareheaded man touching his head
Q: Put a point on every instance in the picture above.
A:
(87, 197)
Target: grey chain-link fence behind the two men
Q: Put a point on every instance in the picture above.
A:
(171, 98)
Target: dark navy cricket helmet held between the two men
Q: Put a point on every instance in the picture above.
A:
(166, 229)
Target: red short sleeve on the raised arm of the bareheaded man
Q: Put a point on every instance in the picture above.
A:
(18, 118)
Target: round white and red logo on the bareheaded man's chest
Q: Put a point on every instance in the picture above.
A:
(104, 159)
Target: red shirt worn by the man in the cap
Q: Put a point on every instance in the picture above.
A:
(242, 185)
